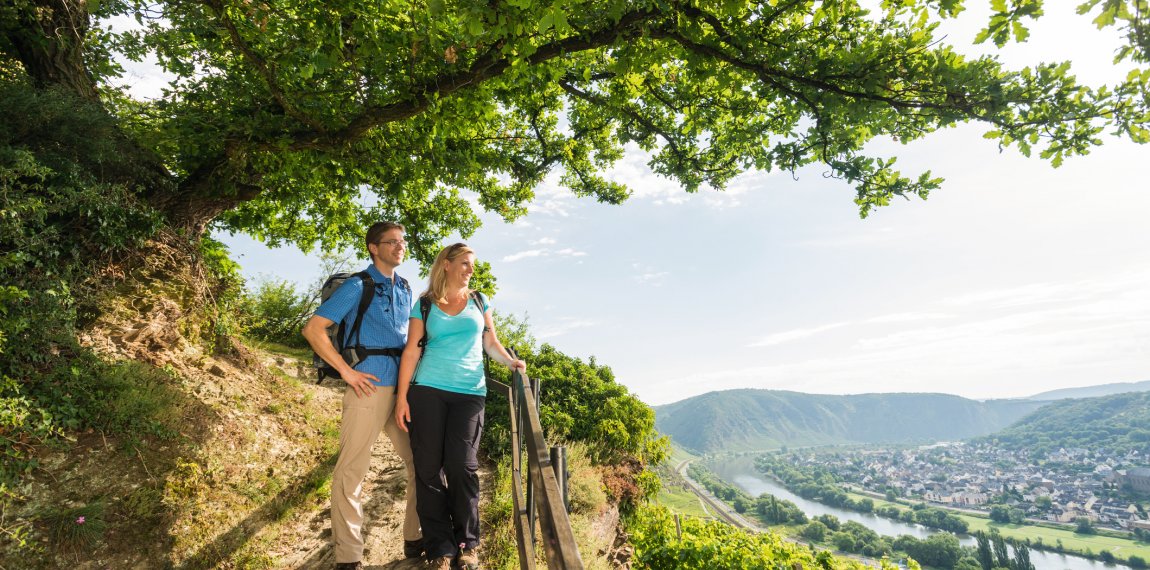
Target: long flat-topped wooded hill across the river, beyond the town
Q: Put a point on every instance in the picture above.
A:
(748, 420)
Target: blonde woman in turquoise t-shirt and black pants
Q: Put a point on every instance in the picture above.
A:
(441, 400)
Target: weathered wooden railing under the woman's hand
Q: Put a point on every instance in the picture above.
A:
(543, 495)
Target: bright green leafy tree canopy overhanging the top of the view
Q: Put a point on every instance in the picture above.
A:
(311, 119)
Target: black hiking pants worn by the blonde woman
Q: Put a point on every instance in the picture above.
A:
(446, 432)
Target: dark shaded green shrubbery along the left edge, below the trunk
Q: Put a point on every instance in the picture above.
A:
(59, 222)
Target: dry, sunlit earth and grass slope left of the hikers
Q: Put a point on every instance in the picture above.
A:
(232, 472)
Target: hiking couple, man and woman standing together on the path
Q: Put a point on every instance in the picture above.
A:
(430, 400)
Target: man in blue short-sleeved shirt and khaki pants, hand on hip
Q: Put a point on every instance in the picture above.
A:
(370, 405)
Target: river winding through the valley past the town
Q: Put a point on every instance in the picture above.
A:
(741, 472)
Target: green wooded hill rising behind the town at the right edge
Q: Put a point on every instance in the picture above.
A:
(1118, 423)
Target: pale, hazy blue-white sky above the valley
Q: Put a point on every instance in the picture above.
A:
(1013, 280)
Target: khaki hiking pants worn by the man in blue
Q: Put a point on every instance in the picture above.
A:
(363, 420)
